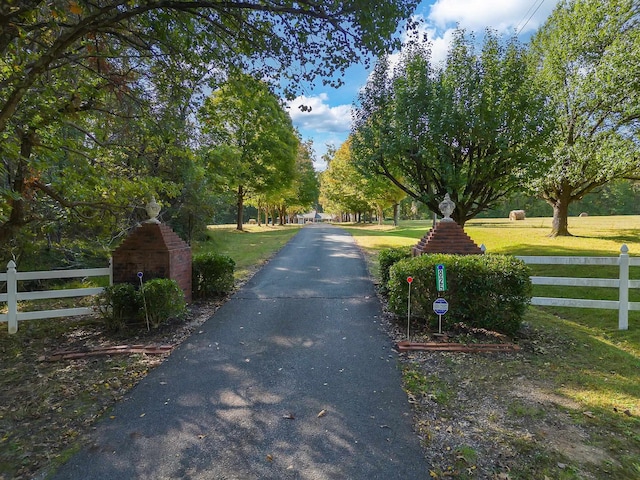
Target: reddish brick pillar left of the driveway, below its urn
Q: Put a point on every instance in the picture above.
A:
(156, 251)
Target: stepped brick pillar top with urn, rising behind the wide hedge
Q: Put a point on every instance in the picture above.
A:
(446, 236)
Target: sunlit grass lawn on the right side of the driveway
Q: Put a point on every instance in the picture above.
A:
(583, 358)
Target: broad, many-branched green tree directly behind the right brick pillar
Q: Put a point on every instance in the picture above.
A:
(473, 128)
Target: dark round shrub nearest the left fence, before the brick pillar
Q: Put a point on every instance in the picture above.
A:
(120, 305)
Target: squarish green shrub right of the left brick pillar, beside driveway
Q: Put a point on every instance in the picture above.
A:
(212, 274)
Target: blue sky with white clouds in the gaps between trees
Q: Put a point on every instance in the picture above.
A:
(329, 120)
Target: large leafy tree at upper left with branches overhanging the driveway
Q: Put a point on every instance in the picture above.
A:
(78, 77)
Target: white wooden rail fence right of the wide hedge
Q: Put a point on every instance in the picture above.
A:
(622, 283)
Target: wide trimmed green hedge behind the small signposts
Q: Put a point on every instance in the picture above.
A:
(484, 291)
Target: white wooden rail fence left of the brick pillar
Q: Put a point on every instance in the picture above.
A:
(12, 297)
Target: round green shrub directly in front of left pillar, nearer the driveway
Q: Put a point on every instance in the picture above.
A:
(164, 299)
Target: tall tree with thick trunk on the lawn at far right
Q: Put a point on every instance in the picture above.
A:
(588, 59)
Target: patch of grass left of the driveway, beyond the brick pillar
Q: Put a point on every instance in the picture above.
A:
(250, 248)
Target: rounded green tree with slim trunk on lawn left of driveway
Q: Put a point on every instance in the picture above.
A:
(253, 142)
